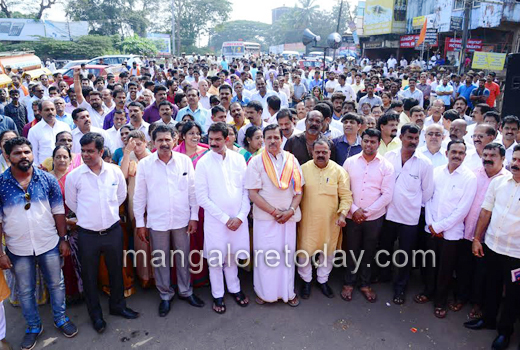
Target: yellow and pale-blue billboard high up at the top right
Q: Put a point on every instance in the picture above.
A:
(378, 17)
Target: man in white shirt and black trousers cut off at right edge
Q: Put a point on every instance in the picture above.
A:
(499, 221)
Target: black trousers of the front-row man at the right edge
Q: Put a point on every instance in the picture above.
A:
(499, 275)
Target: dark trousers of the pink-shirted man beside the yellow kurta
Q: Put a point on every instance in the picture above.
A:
(363, 237)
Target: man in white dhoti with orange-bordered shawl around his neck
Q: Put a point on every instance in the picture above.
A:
(274, 180)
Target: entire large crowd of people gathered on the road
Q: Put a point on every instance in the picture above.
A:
(210, 165)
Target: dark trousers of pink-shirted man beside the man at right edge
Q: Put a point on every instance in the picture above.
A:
(472, 276)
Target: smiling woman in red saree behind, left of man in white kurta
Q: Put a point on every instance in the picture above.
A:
(191, 133)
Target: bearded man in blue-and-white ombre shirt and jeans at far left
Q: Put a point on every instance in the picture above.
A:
(33, 224)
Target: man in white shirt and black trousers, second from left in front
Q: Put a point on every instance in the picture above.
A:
(94, 191)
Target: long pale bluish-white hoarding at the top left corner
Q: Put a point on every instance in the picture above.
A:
(18, 29)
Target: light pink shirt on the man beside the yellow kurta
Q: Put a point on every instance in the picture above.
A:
(372, 184)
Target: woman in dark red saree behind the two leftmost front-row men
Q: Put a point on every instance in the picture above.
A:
(62, 166)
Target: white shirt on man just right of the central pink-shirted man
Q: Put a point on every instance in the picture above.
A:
(413, 187)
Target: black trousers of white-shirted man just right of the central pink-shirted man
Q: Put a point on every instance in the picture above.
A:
(407, 236)
